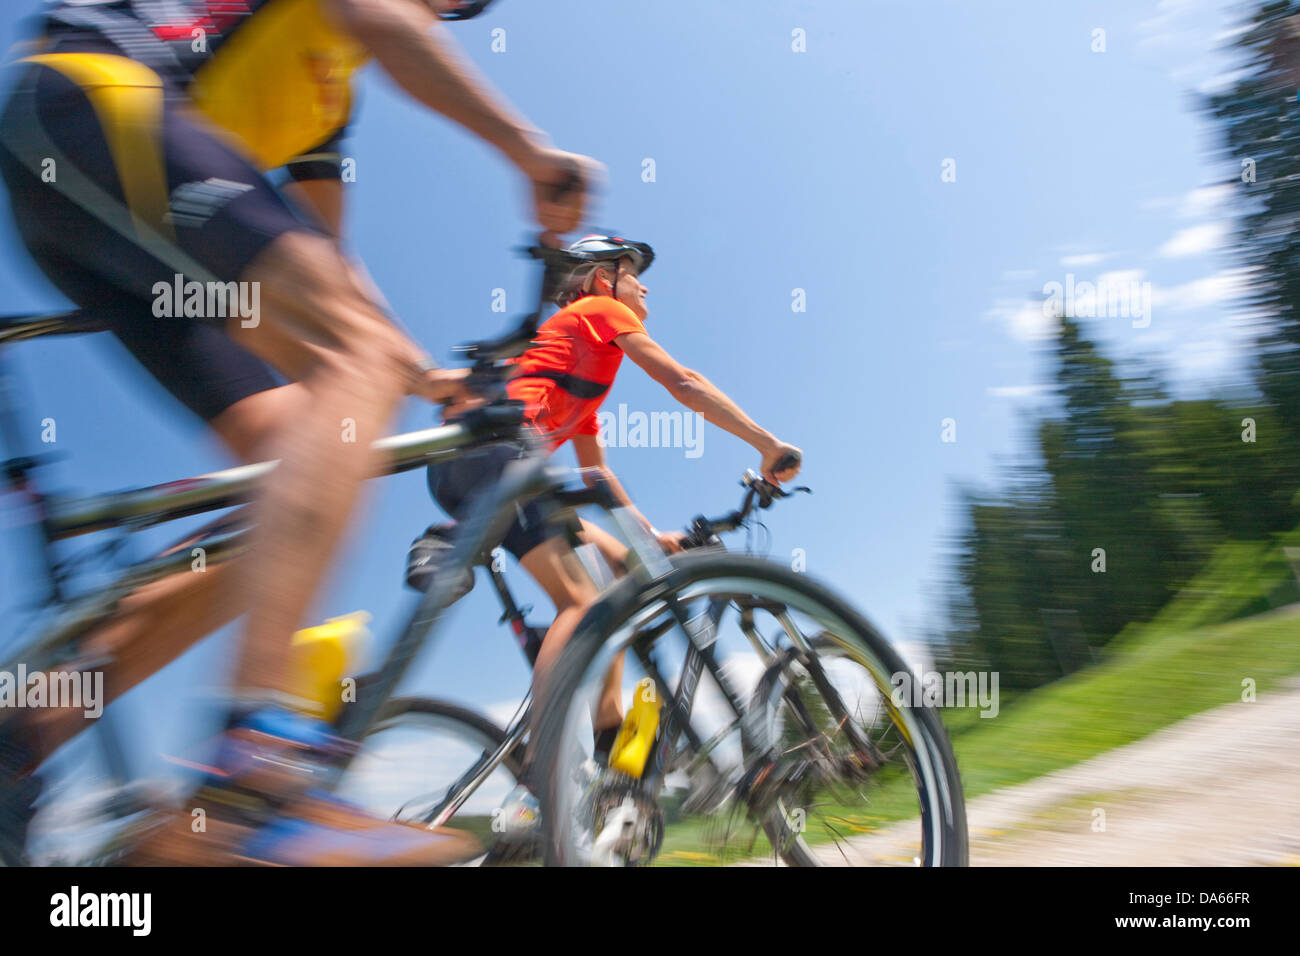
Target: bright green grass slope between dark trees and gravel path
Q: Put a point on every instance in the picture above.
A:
(1194, 656)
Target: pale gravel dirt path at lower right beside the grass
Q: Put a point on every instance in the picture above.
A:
(1220, 789)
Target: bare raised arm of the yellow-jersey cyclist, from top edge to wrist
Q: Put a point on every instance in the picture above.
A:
(413, 46)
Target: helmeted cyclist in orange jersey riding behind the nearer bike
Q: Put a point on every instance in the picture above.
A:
(564, 379)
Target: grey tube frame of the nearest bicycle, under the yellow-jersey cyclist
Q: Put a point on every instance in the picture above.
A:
(59, 520)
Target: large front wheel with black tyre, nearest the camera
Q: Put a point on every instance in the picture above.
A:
(820, 767)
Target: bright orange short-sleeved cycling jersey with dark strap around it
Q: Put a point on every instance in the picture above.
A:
(565, 378)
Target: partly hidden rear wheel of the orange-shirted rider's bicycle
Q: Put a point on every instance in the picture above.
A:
(419, 758)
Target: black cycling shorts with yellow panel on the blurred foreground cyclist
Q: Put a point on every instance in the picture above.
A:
(115, 188)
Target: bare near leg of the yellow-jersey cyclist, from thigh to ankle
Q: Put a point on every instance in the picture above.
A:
(319, 328)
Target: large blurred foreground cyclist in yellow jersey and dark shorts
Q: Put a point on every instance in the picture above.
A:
(136, 148)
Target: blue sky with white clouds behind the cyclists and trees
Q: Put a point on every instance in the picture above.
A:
(774, 171)
